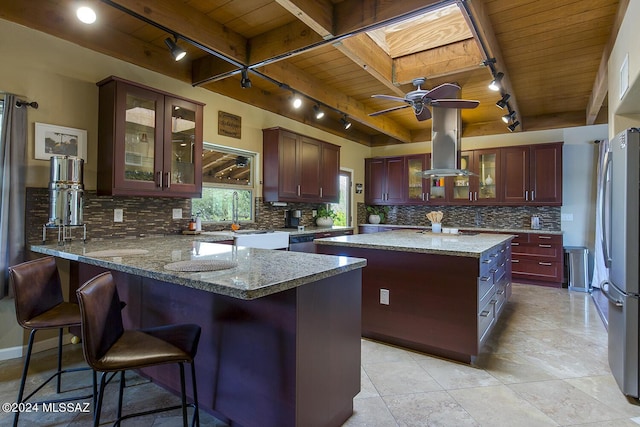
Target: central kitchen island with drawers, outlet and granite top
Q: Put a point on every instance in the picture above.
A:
(437, 293)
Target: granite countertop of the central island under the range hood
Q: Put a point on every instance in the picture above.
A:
(421, 241)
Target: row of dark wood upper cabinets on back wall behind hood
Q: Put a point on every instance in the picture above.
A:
(521, 175)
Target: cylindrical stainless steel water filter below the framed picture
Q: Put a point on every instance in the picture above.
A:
(66, 191)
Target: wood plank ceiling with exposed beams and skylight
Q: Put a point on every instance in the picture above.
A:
(338, 53)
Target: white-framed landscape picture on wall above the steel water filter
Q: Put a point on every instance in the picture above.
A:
(52, 140)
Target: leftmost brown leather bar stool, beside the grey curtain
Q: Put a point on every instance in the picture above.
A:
(40, 305)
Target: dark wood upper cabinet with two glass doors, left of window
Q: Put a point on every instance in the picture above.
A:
(149, 142)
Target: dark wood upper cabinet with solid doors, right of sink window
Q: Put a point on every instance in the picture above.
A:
(297, 168)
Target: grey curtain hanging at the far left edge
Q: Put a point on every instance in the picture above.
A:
(13, 147)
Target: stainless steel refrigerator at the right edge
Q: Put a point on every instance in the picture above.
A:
(621, 247)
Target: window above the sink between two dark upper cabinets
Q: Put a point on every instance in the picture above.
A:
(225, 172)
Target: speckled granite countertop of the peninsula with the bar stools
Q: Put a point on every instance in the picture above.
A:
(259, 272)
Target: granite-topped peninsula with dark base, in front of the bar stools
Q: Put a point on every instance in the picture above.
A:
(280, 341)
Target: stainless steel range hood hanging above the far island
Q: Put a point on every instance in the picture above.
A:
(445, 144)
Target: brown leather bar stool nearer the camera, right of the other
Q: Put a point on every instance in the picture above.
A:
(109, 348)
